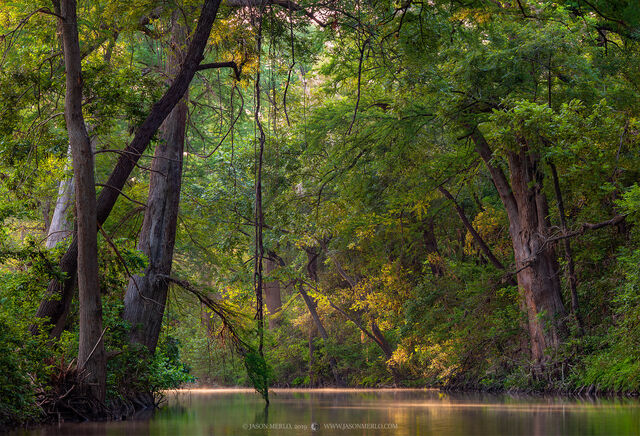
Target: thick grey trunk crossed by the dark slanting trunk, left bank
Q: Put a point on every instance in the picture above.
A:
(146, 295)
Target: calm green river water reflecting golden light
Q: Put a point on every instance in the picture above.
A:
(363, 412)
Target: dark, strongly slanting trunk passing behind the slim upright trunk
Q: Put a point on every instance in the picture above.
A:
(55, 305)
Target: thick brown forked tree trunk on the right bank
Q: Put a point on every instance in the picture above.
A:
(536, 264)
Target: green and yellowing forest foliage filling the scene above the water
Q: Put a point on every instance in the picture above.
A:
(378, 115)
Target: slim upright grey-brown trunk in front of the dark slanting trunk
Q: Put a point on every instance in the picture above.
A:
(91, 355)
